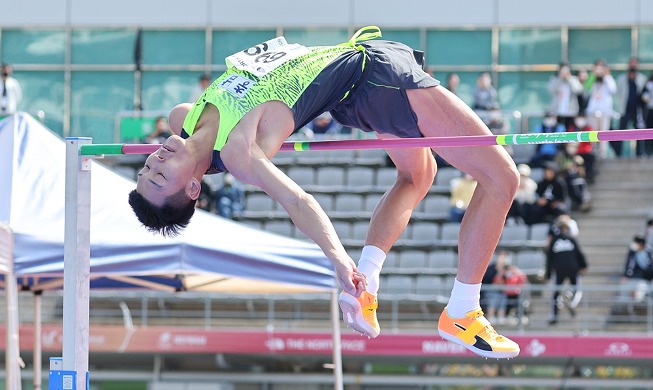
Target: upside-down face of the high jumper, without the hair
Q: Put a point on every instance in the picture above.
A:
(166, 171)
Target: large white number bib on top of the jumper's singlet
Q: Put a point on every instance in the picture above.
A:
(263, 58)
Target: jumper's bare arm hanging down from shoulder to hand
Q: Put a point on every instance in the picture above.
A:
(248, 163)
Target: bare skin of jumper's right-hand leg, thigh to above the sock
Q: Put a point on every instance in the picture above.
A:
(440, 113)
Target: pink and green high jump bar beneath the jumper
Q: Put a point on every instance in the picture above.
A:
(458, 141)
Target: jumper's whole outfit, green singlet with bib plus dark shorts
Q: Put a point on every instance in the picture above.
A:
(362, 84)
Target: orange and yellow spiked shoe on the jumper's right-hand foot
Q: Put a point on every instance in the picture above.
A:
(475, 333)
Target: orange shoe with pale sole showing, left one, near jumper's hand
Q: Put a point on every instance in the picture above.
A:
(360, 313)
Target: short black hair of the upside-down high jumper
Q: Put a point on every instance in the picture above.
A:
(168, 220)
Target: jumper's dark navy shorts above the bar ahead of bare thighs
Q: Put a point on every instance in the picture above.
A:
(378, 101)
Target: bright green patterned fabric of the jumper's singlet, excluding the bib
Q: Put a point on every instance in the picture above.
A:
(295, 76)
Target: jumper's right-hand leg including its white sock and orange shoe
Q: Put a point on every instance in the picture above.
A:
(440, 113)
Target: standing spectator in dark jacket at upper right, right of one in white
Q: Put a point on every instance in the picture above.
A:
(629, 89)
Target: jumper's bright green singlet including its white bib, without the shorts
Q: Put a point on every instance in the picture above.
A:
(273, 70)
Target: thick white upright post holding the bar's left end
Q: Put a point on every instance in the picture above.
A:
(77, 268)
